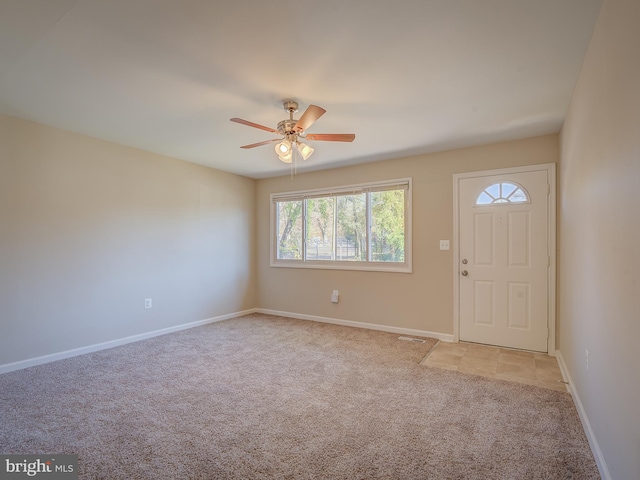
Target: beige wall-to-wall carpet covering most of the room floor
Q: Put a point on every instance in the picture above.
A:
(263, 397)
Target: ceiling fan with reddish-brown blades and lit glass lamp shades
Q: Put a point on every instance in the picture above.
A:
(292, 130)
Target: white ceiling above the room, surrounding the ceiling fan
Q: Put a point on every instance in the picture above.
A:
(406, 76)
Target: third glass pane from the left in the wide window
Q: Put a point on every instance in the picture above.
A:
(351, 227)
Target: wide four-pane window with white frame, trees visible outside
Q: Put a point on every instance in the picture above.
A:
(356, 227)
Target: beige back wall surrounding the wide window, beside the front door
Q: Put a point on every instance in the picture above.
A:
(422, 300)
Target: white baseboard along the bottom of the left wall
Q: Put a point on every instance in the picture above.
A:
(32, 362)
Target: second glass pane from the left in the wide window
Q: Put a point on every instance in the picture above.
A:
(320, 213)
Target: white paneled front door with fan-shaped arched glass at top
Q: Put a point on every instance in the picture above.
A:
(504, 259)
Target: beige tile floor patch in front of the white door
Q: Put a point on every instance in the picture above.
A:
(495, 362)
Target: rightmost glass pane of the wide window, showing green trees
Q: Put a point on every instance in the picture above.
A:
(387, 226)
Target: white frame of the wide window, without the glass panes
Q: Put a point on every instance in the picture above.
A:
(399, 267)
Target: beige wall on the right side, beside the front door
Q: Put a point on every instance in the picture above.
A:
(599, 220)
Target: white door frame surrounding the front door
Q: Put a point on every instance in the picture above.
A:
(550, 168)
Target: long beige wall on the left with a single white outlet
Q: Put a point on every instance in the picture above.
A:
(89, 229)
